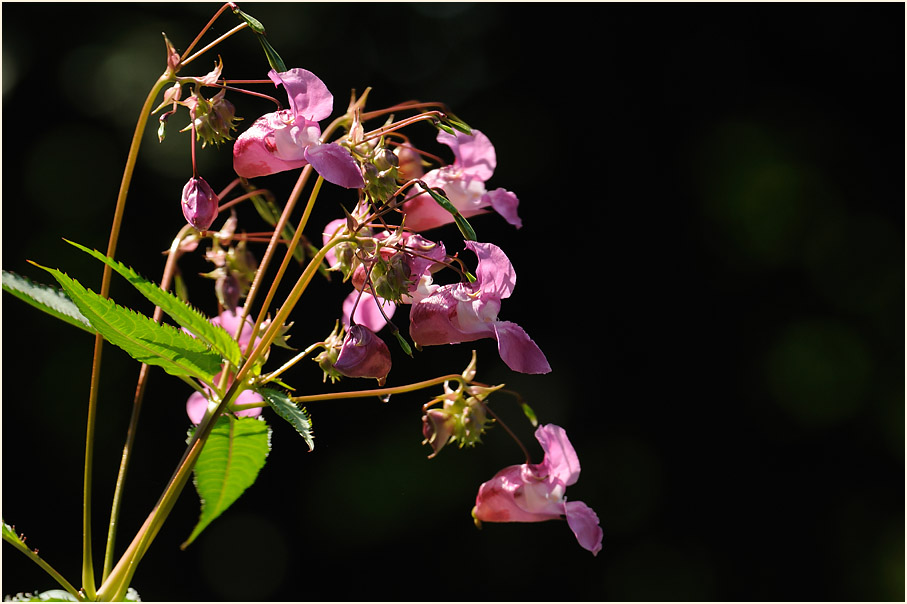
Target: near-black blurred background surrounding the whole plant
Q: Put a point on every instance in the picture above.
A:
(712, 259)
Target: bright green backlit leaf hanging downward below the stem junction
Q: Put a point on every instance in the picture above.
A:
(229, 464)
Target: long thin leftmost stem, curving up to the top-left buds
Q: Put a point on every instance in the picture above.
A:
(88, 581)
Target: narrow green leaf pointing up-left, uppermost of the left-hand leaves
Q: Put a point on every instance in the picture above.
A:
(185, 315)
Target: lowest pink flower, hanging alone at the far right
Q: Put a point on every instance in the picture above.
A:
(535, 492)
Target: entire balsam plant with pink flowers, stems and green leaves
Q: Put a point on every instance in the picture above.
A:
(380, 248)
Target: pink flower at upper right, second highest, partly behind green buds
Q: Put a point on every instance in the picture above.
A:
(463, 183)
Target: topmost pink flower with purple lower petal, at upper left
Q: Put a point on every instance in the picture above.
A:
(290, 138)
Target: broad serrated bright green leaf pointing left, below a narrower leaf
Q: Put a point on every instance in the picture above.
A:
(167, 347)
